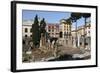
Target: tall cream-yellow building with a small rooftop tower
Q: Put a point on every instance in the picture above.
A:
(65, 30)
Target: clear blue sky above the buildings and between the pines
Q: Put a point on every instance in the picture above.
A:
(50, 16)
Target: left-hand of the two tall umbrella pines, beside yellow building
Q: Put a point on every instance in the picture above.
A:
(75, 17)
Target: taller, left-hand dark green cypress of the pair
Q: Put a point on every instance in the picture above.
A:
(35, 32)
